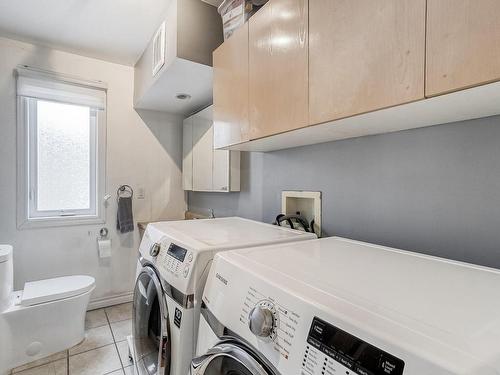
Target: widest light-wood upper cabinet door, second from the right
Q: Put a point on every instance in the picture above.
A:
(364, 55)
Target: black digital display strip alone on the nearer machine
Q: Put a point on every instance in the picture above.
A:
(352, 352)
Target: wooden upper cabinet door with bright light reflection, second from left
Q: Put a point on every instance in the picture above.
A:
(278, 55)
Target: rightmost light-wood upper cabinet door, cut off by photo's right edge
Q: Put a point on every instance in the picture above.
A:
(463, 44)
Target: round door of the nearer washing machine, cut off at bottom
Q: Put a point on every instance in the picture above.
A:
(227, 359)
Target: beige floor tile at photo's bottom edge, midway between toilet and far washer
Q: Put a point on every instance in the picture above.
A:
(95, 362)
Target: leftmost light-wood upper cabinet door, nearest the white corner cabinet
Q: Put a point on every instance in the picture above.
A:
(231, 90)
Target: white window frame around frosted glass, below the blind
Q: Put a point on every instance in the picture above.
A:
(28, 216)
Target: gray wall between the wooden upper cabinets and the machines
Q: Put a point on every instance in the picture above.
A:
(433, 190)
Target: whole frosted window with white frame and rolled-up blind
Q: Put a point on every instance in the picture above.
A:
(61, 150)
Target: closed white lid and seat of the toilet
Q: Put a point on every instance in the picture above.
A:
(54, 289)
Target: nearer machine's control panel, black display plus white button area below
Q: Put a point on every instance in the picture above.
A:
(332, 351)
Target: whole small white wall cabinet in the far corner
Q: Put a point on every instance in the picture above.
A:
(203, 168)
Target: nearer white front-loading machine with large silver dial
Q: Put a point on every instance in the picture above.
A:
(338, 307)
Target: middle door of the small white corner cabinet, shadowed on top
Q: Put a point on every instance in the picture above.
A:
(202, 153)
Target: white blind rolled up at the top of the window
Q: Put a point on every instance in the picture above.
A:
(56, 87)
